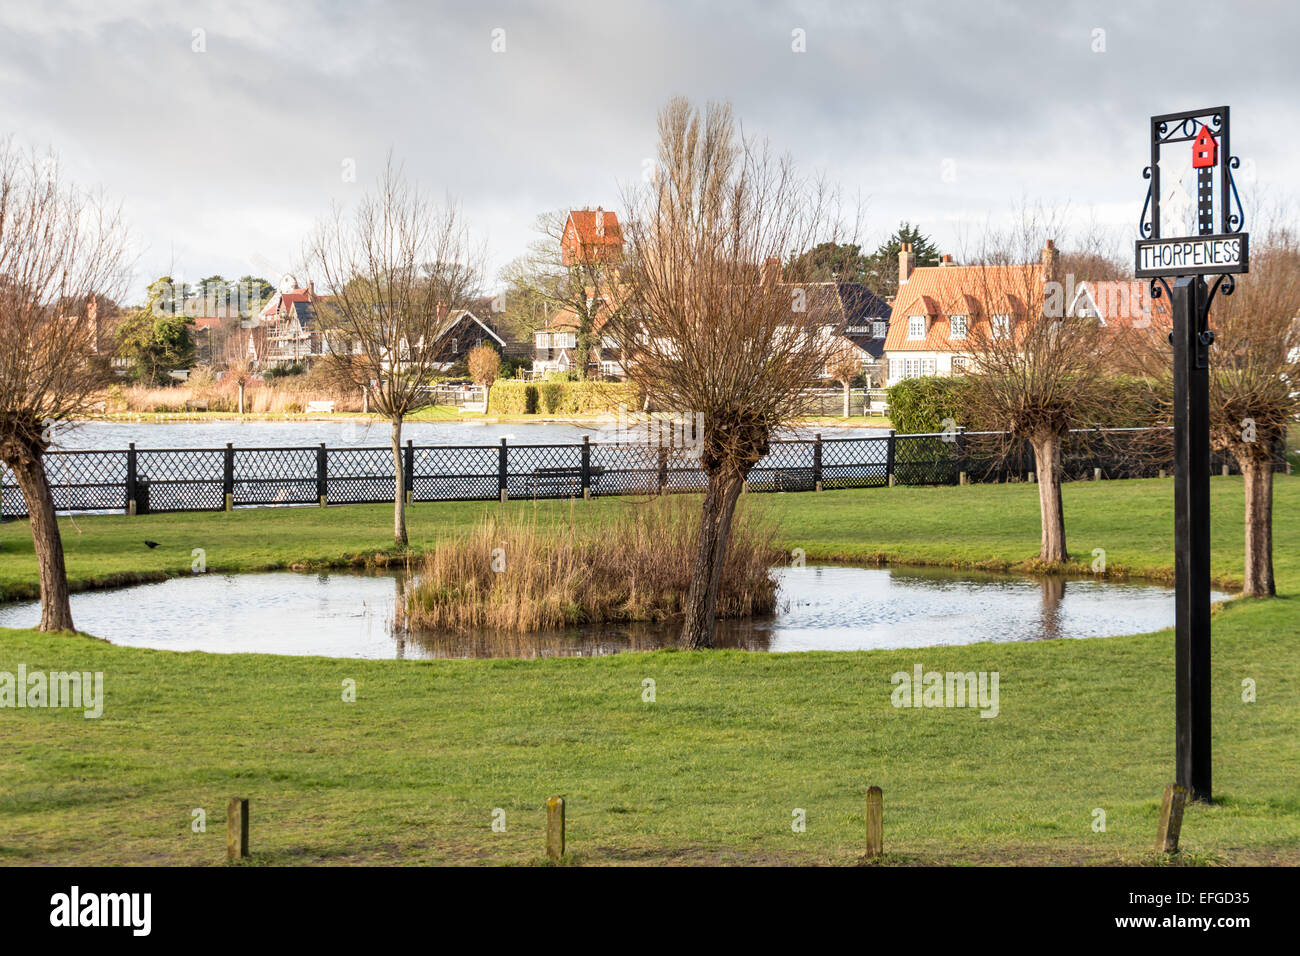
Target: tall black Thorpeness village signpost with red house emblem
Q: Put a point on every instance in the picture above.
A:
(1188, 259)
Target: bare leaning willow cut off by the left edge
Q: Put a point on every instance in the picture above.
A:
(60, 252)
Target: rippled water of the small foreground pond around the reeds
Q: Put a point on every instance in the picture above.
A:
(827, 608)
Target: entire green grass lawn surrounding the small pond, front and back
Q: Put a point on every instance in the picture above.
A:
(712, 771)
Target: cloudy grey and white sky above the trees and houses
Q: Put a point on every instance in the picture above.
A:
(229, 128)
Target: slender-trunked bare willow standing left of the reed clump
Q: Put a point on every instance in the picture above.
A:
(400, 270)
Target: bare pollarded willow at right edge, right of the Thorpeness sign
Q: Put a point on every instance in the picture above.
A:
(1255, 386)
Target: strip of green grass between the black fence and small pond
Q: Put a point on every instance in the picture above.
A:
(991, 527)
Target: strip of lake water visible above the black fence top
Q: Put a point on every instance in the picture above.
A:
(192, 435)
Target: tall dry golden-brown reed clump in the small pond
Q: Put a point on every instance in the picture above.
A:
(623, 565)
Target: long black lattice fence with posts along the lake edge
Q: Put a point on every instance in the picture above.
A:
(142, 481)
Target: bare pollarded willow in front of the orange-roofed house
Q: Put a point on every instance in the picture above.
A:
(1038, 369)
